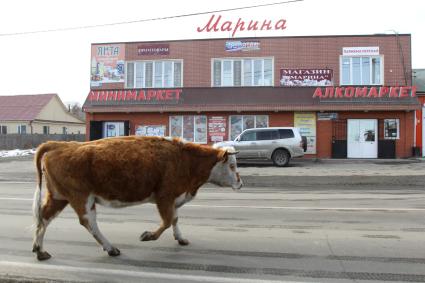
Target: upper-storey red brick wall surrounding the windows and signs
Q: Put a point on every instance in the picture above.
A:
(288, 52)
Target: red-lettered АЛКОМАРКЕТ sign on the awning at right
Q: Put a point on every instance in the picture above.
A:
(365, 92)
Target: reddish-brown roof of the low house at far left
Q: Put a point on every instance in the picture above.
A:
(23, 107)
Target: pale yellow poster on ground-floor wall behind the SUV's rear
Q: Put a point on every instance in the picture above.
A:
(306, 123)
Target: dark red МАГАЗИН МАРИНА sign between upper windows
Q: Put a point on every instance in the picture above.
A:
(306, 77)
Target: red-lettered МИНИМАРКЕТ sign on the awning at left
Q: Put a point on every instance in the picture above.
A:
(153, 96)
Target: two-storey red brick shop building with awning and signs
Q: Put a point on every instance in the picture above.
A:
(352, 96)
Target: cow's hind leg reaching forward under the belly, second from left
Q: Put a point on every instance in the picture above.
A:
(87, 215)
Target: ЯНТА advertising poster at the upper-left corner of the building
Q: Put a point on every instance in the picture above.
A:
(107, 64)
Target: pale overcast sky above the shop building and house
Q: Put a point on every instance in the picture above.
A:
(59, 62)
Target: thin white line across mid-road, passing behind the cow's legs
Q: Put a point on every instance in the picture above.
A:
(274, 207)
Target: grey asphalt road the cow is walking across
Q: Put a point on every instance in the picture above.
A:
(307, 233)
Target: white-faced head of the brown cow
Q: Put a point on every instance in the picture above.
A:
(225, 172)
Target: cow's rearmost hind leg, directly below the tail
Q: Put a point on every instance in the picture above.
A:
(49, 210)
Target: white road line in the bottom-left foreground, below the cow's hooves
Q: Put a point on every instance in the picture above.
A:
(130, 273)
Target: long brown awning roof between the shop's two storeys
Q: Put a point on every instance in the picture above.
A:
(240, 99)
